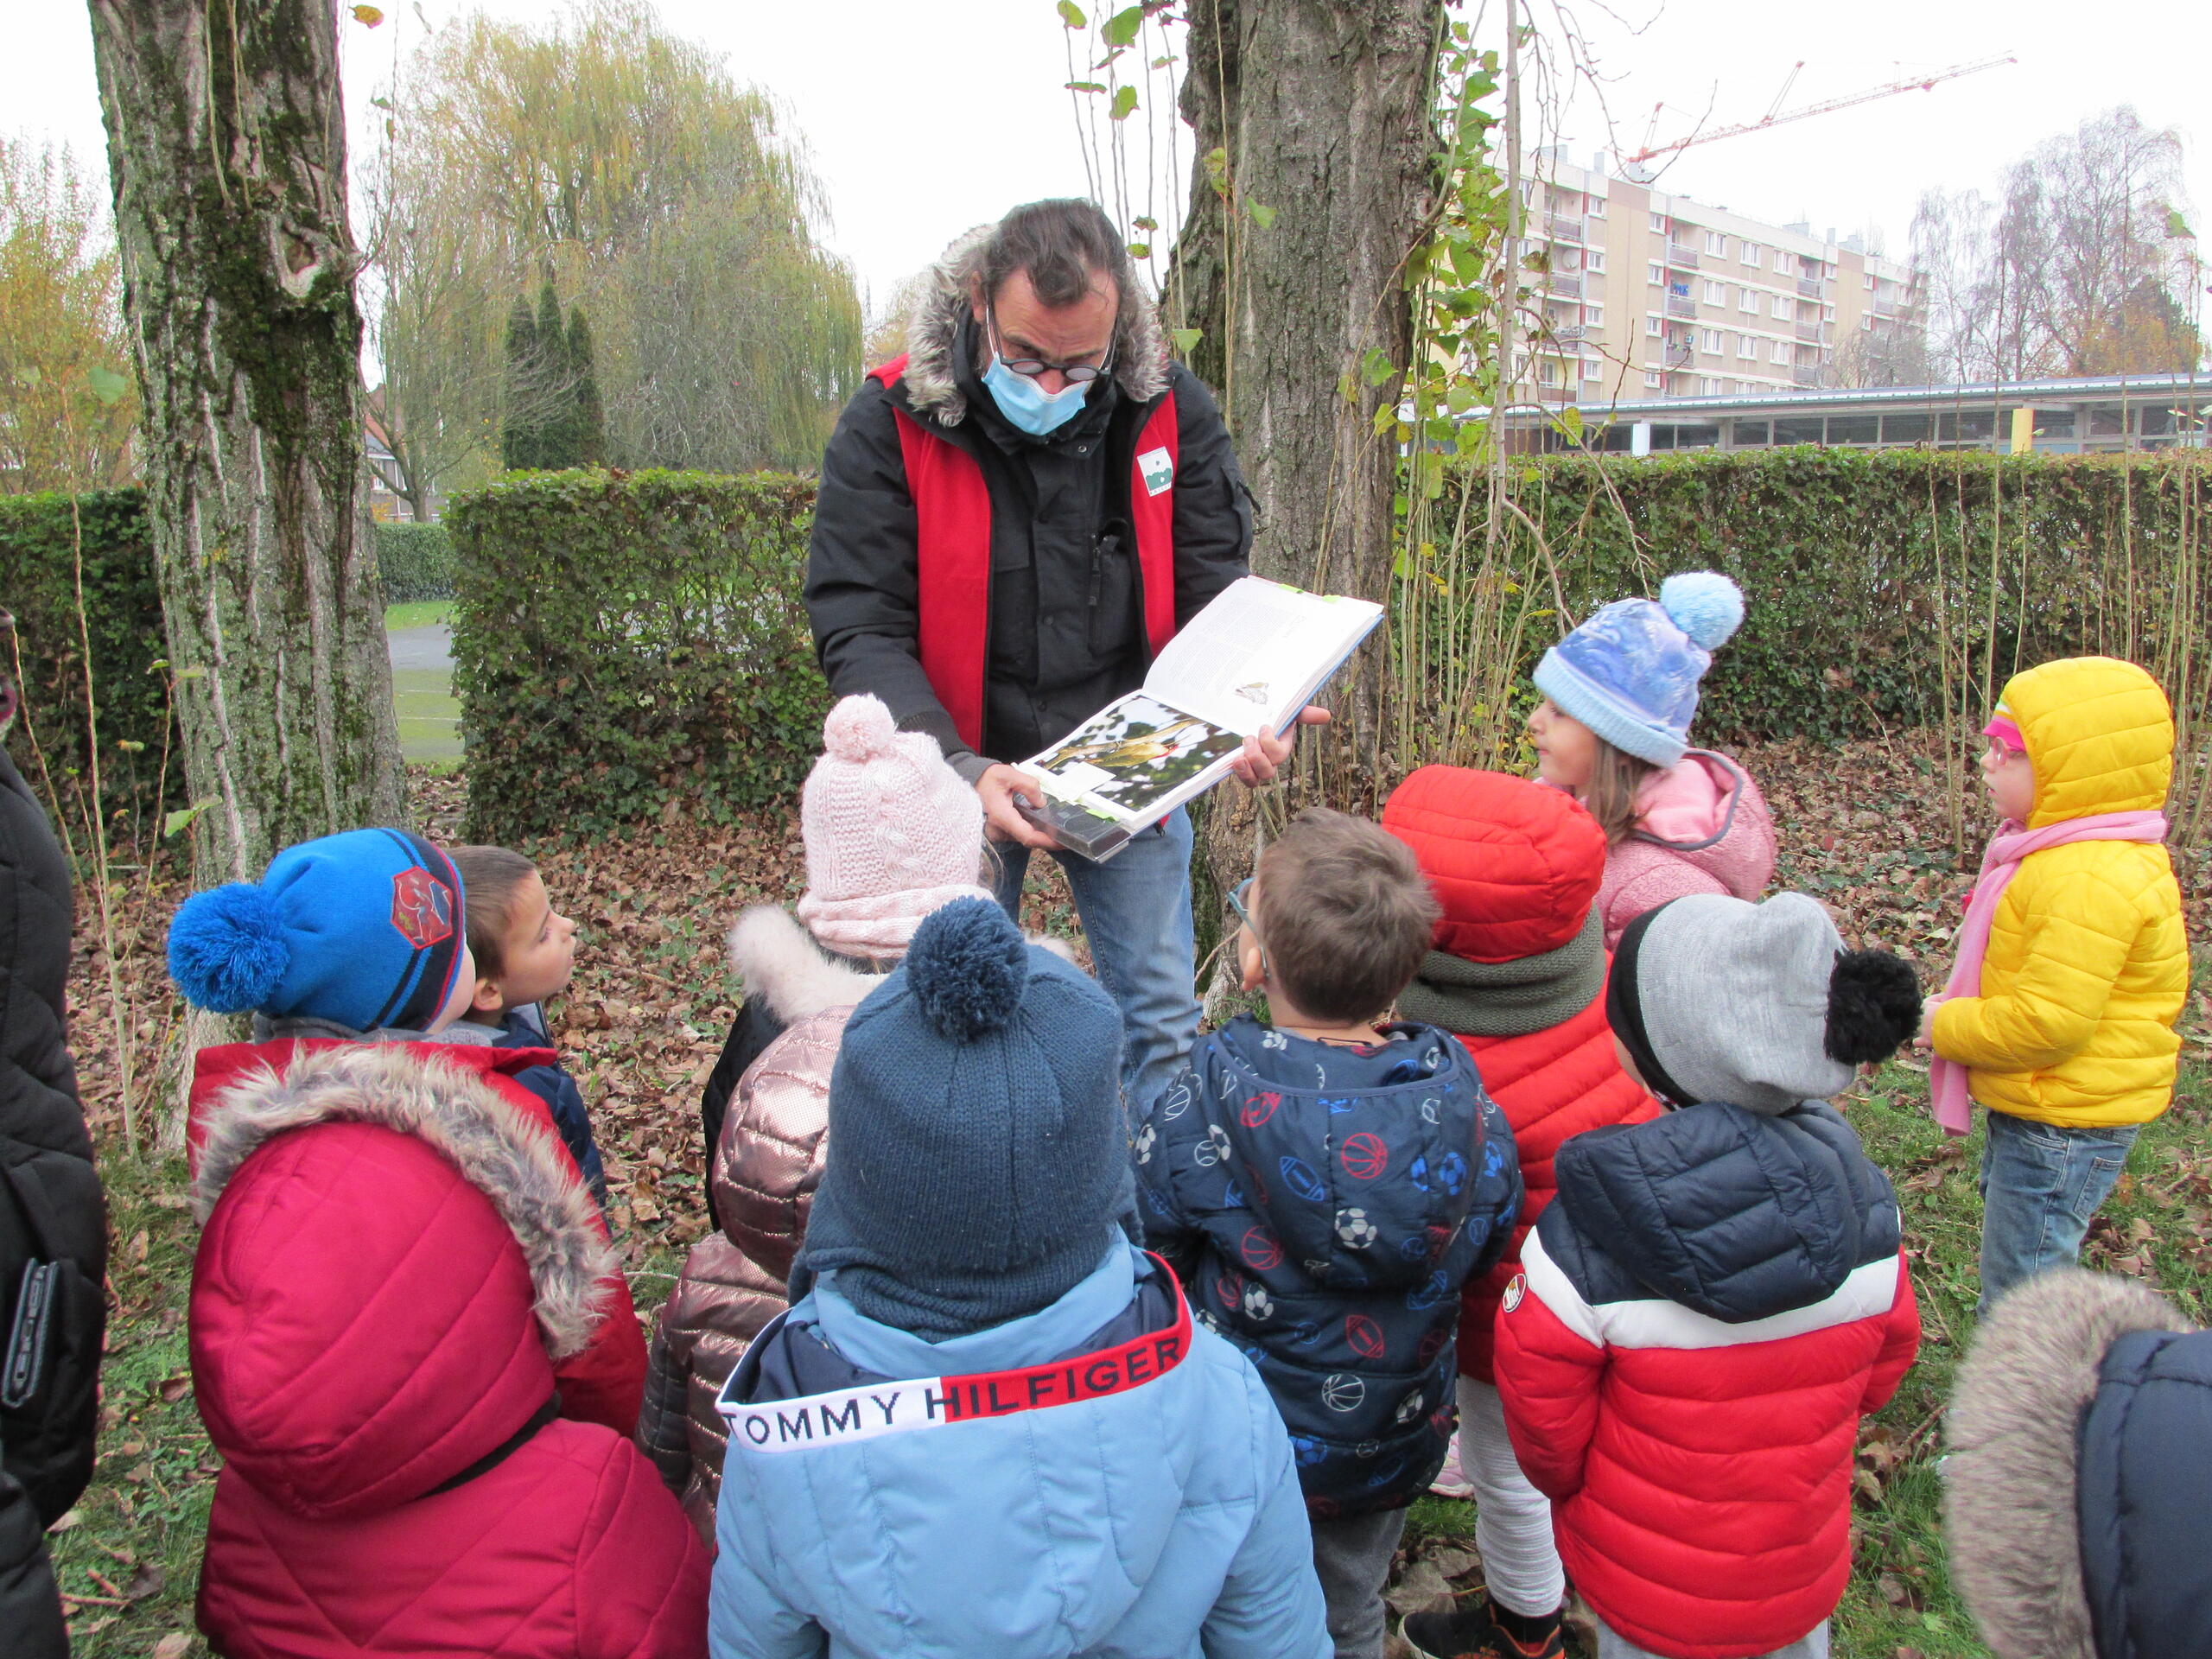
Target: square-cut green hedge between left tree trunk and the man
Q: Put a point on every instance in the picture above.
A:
(625, 643)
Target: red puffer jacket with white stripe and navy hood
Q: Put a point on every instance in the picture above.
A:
(1704, 1315)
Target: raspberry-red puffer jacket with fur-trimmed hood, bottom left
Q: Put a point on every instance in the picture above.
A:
(393, 1262)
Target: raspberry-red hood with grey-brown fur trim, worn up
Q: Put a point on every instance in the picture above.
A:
(393, 1262)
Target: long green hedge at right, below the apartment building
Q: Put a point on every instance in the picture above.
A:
(1855, 565)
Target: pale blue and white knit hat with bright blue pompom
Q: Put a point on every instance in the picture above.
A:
(1631, 671)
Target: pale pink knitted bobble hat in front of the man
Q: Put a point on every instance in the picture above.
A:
(893, 833)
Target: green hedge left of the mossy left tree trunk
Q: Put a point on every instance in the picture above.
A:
(123, 614)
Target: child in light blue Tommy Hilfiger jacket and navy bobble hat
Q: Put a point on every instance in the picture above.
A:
(990, 1423)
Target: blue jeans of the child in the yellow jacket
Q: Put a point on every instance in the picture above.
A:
(2041, 1189)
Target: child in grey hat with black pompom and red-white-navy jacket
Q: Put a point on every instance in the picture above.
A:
(1720, 1295)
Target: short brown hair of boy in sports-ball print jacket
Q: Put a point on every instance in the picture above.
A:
(1344, 915)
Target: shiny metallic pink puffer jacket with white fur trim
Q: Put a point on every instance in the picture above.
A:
(764, 1173)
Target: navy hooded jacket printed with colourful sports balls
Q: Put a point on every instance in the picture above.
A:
(1326, 1204)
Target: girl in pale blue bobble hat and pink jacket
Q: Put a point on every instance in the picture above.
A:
(1614, 731)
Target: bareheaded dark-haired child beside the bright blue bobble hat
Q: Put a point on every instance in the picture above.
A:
(525, 952)
